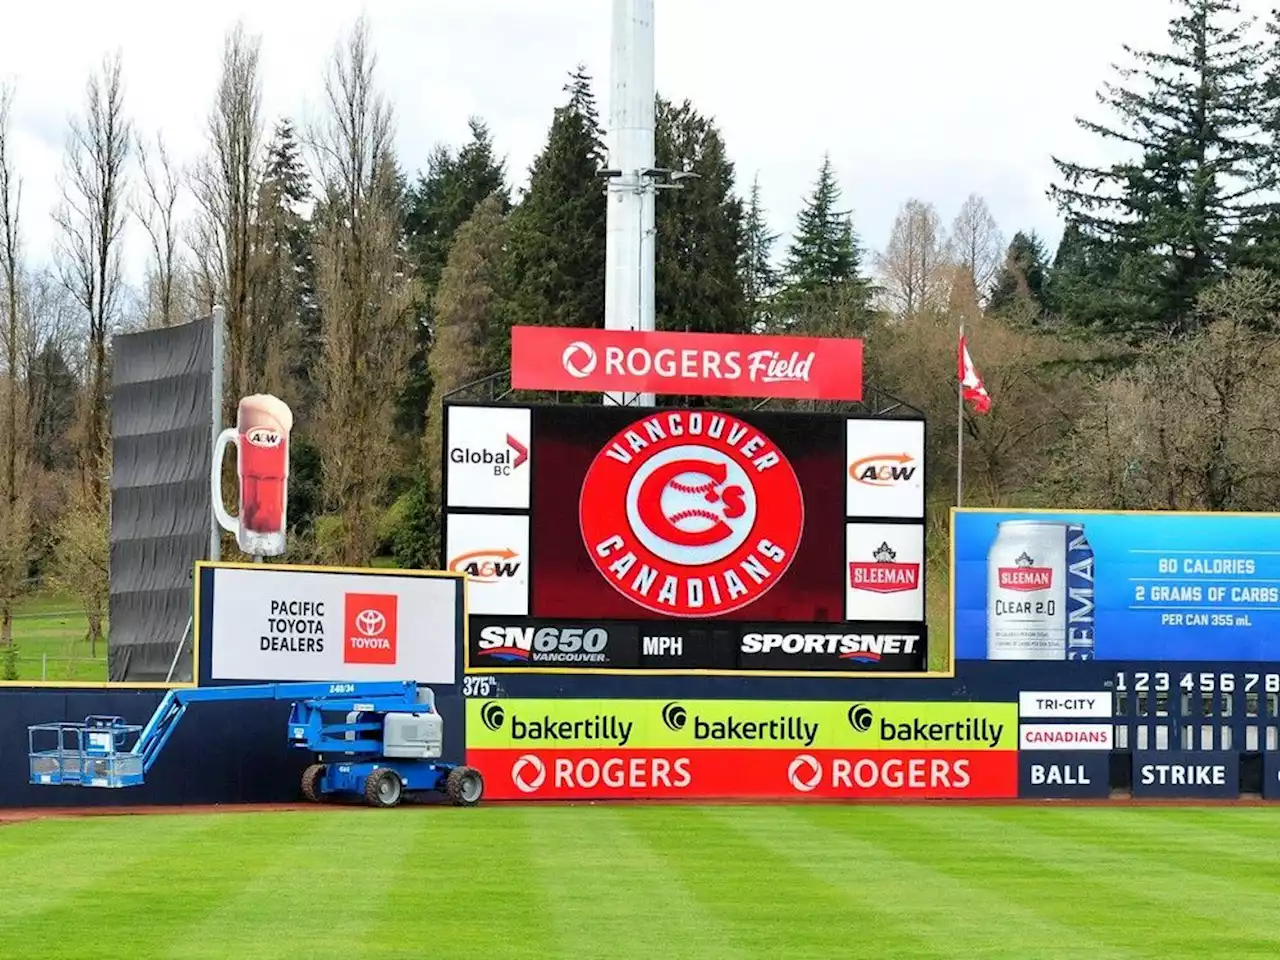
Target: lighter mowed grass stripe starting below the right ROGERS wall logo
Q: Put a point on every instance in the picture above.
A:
(940, 893)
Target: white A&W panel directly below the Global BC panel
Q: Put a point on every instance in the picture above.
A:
(493, 552)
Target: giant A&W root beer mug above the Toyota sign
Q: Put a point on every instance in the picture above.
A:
(262, 440)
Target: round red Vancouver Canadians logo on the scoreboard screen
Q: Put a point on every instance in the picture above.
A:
(691, 514)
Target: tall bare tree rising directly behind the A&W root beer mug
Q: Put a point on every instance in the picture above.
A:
(226, 185)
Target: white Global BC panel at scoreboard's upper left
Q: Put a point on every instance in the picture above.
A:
(488, 456)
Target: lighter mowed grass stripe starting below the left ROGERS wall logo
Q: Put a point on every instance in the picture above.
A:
(611, 894)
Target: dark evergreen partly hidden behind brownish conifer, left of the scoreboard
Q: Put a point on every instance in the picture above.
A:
(442, 200)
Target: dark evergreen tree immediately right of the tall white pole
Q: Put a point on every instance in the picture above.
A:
(700, 228)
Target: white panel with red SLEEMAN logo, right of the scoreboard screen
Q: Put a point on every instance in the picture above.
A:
(885, 572)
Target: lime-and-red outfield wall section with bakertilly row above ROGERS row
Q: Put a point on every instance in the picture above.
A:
(708, 749)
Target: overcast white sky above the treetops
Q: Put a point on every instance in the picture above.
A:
(912, 98)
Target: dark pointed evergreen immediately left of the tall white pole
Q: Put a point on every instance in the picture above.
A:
(556, 268)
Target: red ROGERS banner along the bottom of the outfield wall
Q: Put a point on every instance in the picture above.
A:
(746, 774)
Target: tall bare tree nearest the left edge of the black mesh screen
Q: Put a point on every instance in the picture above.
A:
(92, 221)
